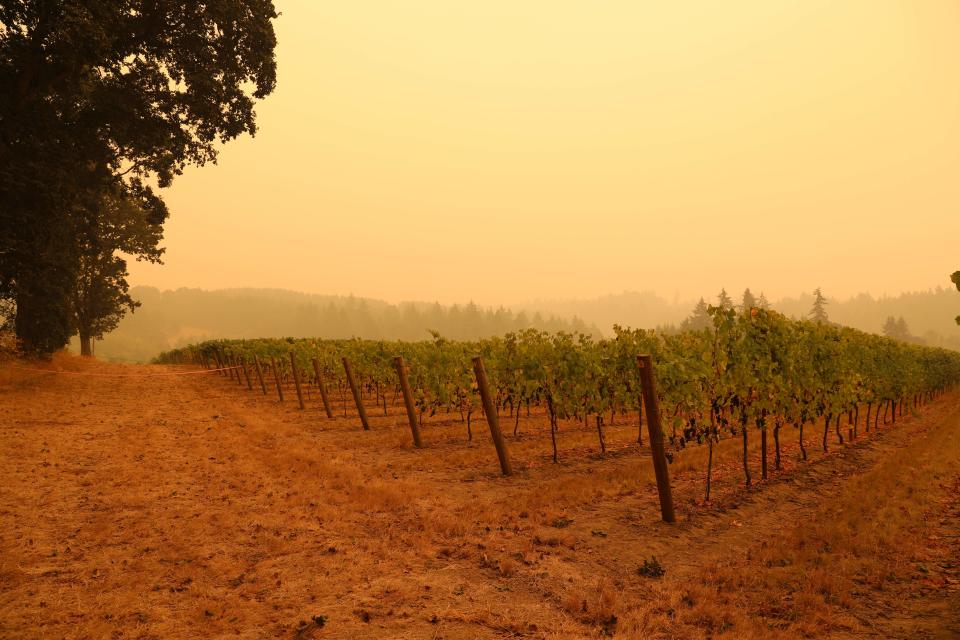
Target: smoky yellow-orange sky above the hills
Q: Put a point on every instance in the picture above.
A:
(507, 150)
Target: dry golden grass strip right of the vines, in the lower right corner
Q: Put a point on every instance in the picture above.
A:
(829, 573)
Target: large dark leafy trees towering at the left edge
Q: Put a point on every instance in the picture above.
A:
(101, 103)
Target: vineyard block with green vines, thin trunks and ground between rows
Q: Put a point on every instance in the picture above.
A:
(750, 373)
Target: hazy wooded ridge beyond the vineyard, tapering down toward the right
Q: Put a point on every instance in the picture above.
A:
(169, 319)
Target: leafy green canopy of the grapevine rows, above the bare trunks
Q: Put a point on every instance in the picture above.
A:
(743, 369)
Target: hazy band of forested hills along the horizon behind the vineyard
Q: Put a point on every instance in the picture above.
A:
(169, 319)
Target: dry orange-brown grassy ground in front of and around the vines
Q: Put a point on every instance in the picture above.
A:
(189, 507)
